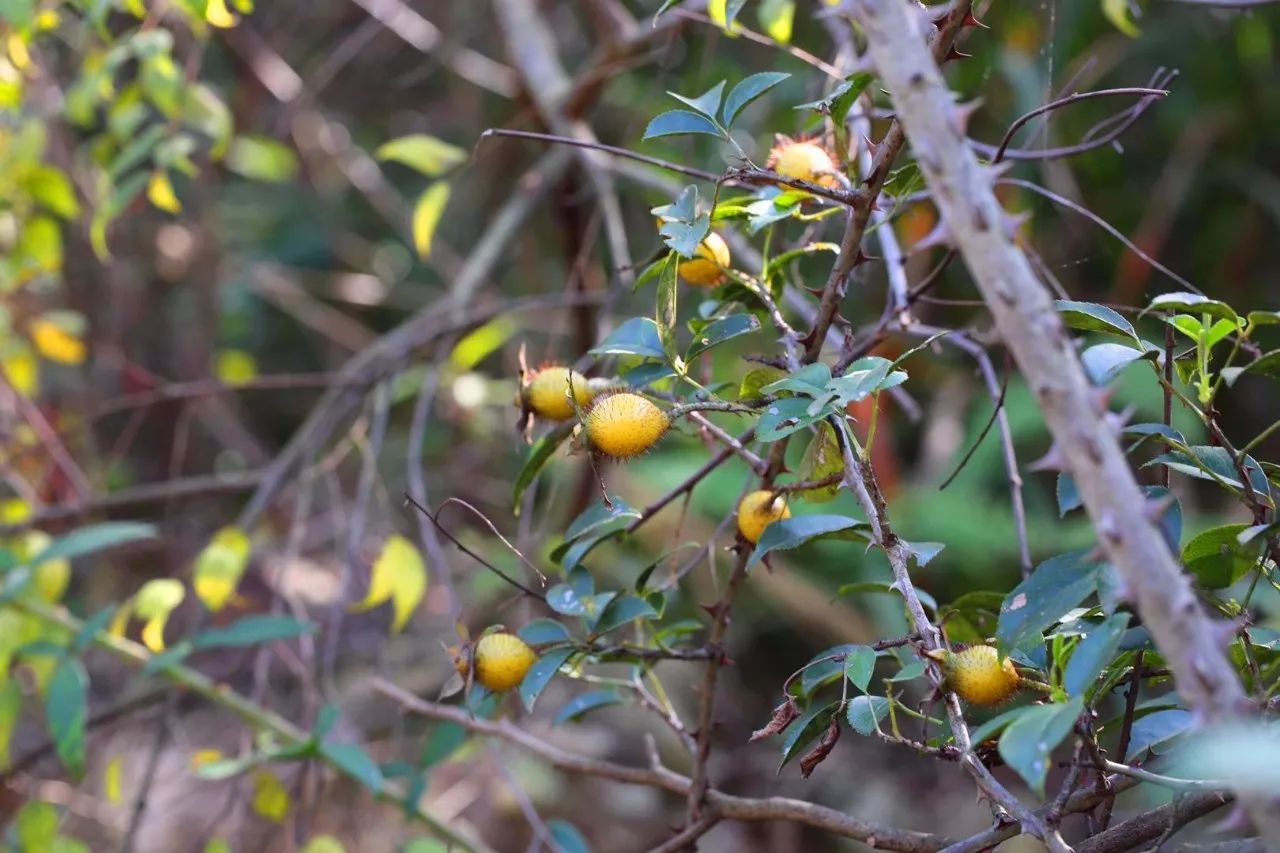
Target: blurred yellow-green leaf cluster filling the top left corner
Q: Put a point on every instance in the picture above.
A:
(140, 122)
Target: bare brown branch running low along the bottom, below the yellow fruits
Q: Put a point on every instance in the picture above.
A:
(726, 806)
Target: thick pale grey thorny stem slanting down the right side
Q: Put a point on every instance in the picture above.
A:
(1034, 331)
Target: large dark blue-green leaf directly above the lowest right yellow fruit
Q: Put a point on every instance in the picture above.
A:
(1055, 587)
